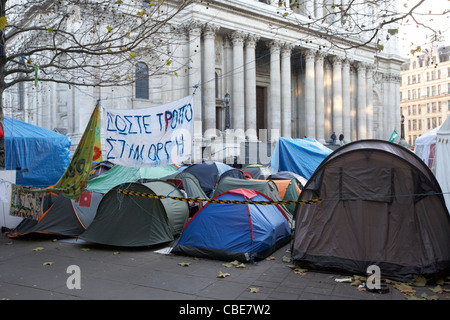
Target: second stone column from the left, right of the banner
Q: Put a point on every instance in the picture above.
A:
(209, 84)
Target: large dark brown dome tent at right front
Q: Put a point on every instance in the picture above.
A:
(381, 206)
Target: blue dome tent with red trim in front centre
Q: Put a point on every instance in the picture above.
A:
(243, 232)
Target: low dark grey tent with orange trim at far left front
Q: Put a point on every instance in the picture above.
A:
(64, 217)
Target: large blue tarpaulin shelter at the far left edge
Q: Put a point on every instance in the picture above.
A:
(39, 155)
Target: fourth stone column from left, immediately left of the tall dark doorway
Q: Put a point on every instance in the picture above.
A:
(250, 88)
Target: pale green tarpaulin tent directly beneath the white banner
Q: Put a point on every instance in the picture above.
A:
(121, 174)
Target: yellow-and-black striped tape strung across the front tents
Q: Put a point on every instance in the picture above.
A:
(200, 200)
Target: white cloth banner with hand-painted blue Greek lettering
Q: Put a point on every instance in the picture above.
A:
(150, 137)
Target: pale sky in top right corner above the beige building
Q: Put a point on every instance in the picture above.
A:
(430, 13)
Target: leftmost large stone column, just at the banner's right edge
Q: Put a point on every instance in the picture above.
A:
(195, 78)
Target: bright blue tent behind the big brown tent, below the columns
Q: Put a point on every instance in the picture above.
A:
(301, 156)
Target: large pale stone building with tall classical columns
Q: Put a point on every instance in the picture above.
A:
(283, 77)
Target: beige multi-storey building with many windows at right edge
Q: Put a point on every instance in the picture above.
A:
(425, 92)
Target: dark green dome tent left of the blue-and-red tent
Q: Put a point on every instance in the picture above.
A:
(136, 221)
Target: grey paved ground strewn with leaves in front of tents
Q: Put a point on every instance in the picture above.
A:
(39, 270)
